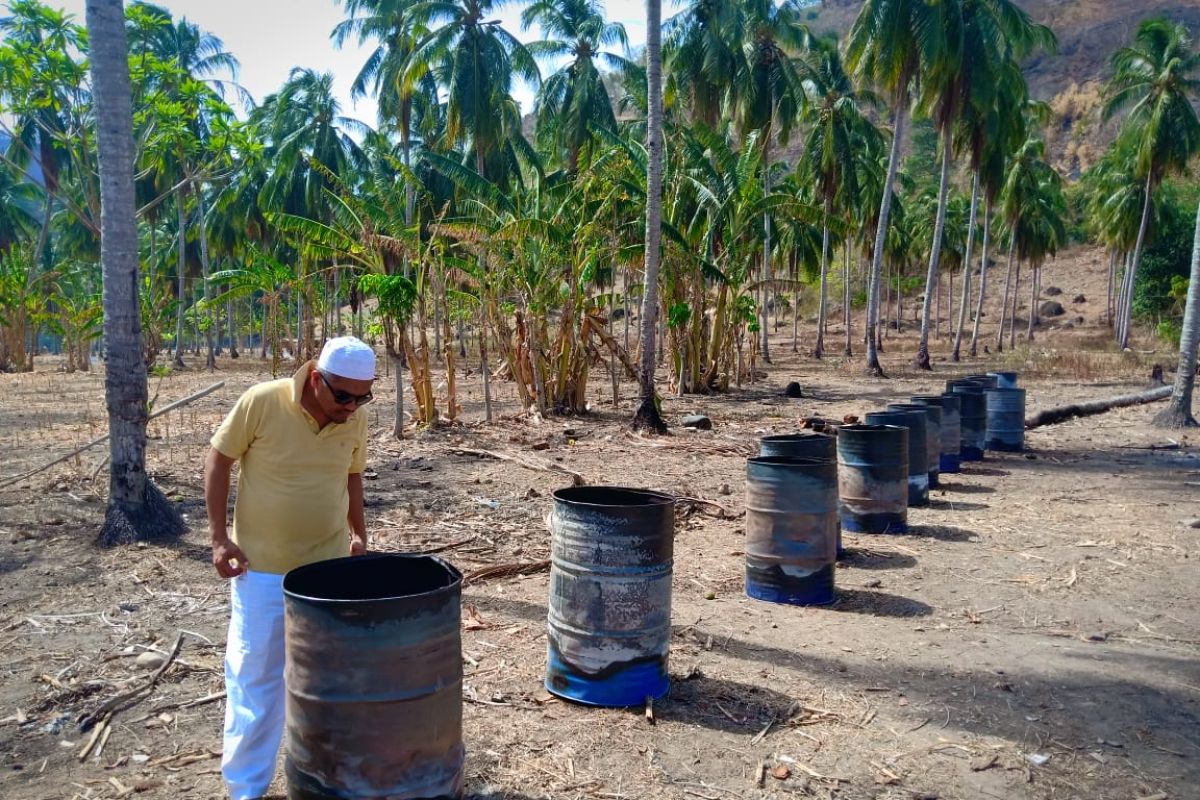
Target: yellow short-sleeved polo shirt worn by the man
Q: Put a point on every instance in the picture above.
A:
(292, 497)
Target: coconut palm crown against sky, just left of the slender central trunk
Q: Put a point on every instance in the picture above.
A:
(574, 101)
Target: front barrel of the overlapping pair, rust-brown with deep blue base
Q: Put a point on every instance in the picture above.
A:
(791, 530)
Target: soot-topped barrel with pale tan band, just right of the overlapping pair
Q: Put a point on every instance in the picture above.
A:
(873, 479)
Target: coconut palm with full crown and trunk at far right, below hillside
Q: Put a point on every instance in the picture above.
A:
(1157, 80)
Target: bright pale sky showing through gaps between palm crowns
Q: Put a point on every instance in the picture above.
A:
(273, 37)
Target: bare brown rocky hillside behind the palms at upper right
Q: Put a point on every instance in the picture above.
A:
(1089, 32)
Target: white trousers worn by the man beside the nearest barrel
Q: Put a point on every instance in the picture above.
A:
(255, 691)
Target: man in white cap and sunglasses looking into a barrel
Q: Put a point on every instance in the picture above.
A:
(302, 443)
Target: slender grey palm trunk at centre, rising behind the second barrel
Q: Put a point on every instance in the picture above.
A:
(649, 416)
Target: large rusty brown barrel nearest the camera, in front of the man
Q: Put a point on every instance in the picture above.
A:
(374, 679)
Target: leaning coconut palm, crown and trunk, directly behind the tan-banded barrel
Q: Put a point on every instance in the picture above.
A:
(892, 45)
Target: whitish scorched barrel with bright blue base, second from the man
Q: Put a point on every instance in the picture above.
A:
(610, 596)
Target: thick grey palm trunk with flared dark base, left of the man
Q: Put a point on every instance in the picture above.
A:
(136, 509)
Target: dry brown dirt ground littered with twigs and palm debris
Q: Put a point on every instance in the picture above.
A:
(1033, 637)
